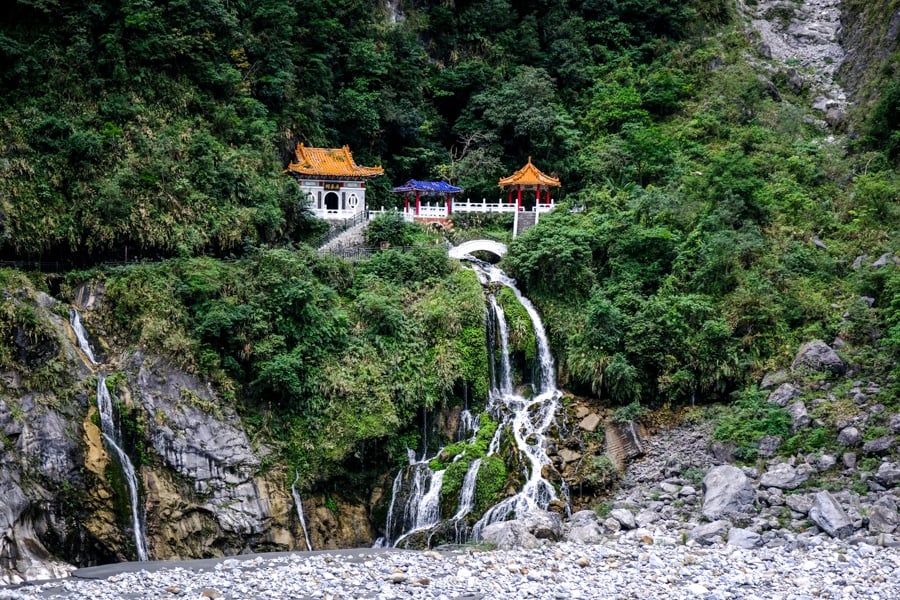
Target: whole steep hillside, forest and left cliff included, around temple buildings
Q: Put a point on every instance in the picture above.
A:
(730, 195)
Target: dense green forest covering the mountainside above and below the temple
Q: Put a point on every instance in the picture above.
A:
(711, 220)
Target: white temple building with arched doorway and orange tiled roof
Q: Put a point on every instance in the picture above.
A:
(332, 181)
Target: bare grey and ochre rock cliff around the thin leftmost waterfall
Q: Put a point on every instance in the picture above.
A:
(202, 488)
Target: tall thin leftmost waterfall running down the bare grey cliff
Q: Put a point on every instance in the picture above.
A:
(111, 436)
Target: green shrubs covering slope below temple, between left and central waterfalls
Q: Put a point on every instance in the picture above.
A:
(327, 362)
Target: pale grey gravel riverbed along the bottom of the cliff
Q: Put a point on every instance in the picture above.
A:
(618, 569)
